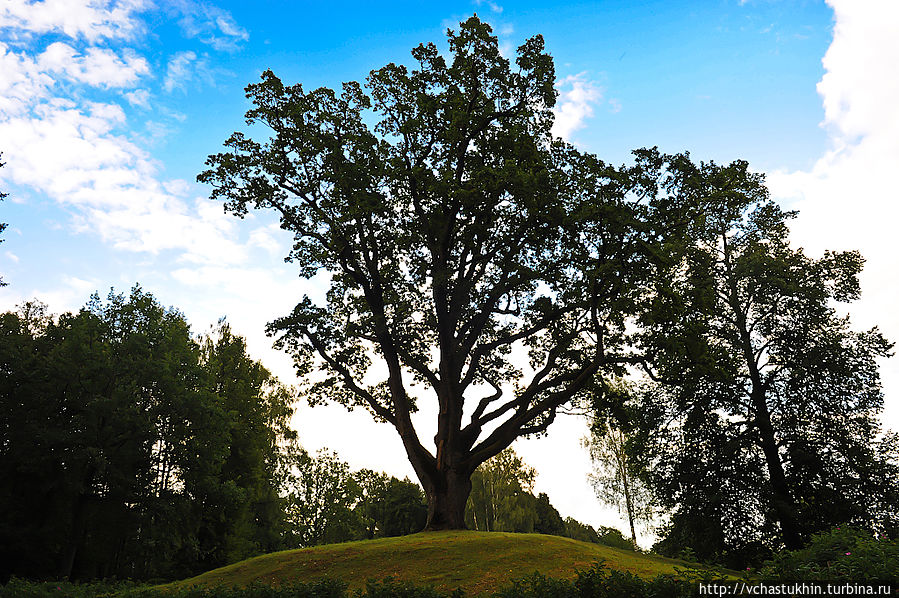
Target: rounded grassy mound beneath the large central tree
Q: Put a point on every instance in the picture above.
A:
(477, 562)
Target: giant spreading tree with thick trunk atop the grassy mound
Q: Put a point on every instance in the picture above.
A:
(453, 230)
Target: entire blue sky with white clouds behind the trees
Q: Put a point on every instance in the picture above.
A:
(108, 109)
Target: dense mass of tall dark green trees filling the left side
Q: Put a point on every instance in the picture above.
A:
(128, 449)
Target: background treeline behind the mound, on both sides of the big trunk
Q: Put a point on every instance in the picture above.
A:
(131, 448)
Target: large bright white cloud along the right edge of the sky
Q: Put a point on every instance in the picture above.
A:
(849, 199)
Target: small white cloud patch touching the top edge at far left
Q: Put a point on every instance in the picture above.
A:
(89, 19)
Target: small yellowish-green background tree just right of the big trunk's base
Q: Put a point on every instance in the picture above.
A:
(501, 499)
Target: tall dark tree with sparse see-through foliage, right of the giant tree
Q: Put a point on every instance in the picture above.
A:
(766, 401)
